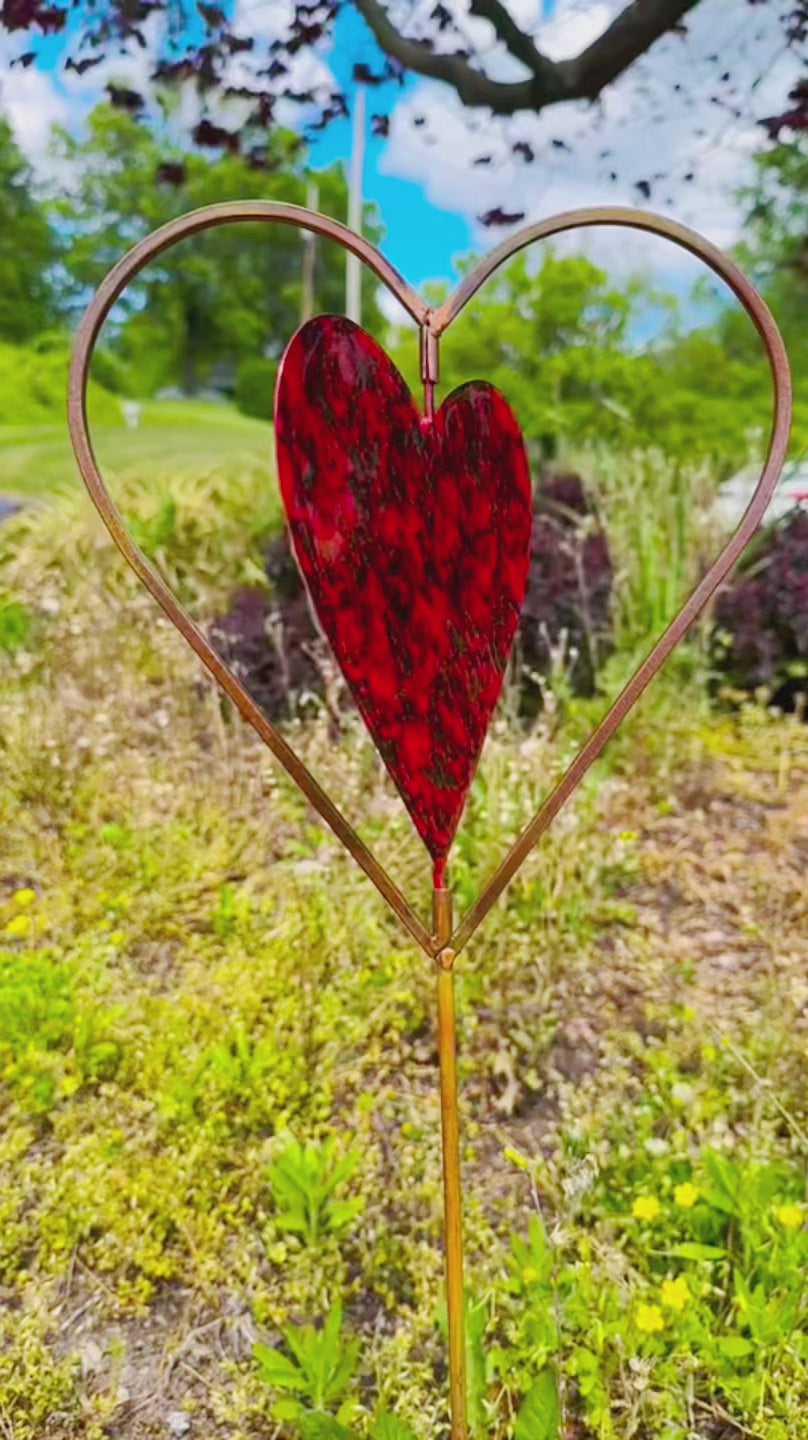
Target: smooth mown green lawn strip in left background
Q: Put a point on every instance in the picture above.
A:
(178, 437)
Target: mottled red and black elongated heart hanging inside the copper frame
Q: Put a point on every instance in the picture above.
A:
(414, 539)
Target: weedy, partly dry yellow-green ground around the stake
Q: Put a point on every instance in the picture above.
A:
(220, 1143)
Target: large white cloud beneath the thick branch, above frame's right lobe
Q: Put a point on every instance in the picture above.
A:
(689, 109)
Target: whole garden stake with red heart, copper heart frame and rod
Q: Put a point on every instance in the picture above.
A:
(413, 534)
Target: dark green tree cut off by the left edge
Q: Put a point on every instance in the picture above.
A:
(28, 250)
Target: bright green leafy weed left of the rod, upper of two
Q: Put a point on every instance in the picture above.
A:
(305, 1180)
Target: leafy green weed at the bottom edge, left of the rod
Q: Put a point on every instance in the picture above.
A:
(315, 1377)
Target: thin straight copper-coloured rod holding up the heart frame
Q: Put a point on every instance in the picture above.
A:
(450, 1125)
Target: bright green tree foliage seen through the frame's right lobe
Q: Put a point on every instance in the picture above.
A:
(561, 342)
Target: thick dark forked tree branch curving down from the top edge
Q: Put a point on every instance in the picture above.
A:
(627, 38)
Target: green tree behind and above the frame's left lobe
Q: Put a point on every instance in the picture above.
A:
(228, 294)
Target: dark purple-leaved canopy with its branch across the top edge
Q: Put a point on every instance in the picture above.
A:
(482, 51)
